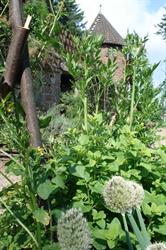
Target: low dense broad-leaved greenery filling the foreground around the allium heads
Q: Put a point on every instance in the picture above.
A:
(73, 176)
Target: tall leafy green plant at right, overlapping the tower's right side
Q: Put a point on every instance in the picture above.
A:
(146, 96)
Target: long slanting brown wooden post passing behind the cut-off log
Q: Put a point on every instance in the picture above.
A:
(27, 95)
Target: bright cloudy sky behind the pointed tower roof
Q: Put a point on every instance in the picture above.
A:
(141, 16)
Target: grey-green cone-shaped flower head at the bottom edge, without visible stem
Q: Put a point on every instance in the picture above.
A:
(72, 230)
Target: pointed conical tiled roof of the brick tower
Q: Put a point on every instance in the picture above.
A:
(103, 27)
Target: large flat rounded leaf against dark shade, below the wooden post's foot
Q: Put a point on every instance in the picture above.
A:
(45, 189)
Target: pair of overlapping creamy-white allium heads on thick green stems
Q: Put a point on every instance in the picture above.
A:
(121, 195)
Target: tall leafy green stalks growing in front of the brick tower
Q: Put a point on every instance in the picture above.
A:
(130, 99)
